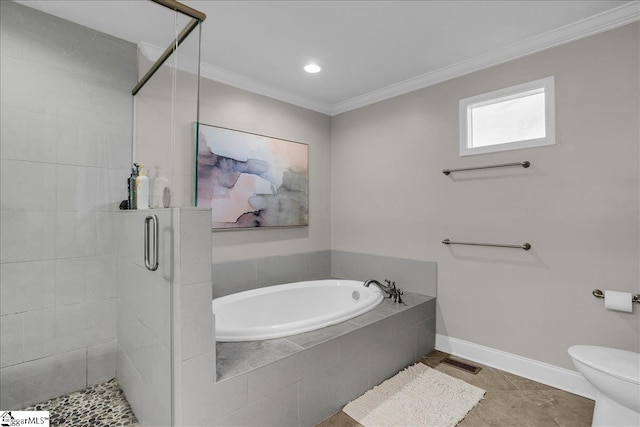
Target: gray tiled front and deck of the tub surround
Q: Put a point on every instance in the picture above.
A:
(305, 378)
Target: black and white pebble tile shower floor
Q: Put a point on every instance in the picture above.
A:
(101, 405)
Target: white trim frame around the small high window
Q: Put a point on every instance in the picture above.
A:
(548, 84)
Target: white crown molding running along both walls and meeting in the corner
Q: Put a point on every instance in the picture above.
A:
(608, 20)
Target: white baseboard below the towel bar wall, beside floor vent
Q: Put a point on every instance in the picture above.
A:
(551, 375)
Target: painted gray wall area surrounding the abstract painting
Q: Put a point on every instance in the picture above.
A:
(225, 106)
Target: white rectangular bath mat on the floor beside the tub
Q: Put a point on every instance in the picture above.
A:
(416, 396)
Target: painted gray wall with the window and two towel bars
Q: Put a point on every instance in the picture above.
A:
(577, 205)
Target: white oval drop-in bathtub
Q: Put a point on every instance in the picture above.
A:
(278, 311)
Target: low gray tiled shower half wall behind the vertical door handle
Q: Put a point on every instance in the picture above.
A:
(143, 317)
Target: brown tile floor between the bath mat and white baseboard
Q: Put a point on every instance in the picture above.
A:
(510, 401)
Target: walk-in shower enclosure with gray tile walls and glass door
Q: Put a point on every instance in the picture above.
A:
(77, 305)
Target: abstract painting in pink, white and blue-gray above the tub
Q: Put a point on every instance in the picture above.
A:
(250, 180)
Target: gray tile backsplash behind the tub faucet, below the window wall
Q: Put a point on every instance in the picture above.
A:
(411, 275)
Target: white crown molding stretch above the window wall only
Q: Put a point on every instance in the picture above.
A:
(604, 21)
